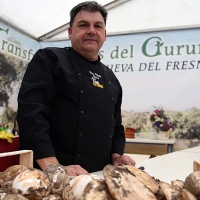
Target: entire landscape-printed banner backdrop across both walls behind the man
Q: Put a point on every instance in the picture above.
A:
(156, 69)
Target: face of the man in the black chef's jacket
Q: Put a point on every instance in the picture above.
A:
(87, 34)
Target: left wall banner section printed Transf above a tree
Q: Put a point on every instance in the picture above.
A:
(16, 50)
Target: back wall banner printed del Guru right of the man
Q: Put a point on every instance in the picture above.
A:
(158, 69)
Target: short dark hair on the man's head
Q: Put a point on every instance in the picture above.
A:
(90, 6)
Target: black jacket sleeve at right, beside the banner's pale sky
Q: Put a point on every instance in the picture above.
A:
(118, 142)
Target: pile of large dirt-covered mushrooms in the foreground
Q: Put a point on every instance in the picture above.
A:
(119, 183)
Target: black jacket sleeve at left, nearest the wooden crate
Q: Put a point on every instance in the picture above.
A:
(36, 94)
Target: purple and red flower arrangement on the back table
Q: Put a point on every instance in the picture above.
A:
(160, 121)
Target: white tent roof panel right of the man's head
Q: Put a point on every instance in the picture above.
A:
(151, 15)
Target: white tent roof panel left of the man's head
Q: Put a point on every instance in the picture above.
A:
(38, 17)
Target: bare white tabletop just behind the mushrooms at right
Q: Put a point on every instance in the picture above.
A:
(174, 166)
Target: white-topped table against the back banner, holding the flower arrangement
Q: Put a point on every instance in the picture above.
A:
(170, 142)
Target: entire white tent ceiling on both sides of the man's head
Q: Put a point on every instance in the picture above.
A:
(49, 19)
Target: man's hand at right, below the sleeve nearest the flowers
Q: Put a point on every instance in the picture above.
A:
(118, 160)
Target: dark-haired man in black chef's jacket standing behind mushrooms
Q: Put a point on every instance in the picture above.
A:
(69, 104)
